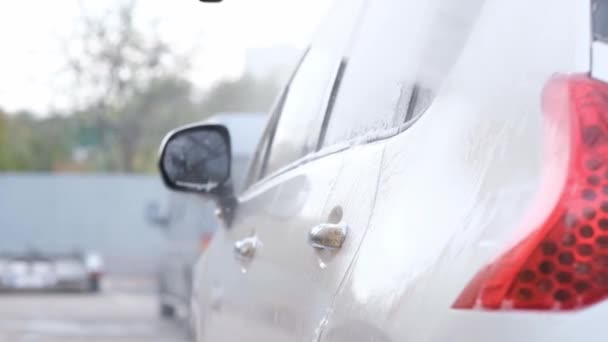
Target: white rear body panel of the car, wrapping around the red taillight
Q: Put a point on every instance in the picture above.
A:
(466, 175)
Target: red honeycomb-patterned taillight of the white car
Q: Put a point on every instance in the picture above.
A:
(563, 263)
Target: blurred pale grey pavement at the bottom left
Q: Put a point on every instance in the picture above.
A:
(122, 312)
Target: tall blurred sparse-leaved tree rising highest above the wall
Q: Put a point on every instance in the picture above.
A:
(113, 62)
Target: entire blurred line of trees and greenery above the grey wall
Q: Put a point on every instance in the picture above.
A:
(132, 89)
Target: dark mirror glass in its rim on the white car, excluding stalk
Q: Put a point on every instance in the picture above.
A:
(197, 158)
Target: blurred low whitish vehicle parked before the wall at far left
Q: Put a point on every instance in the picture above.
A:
(36, 270)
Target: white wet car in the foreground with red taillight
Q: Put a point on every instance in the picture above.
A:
(434, 171)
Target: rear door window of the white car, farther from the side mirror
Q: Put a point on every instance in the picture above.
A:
(396, 63)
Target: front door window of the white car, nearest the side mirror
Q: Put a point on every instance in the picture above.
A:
(300, 114)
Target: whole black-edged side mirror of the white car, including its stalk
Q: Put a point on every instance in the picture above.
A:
(197, 158)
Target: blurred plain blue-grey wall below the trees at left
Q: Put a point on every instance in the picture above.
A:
(98, 212)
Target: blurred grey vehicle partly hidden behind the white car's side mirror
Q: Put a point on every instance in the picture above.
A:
(189, 221)
